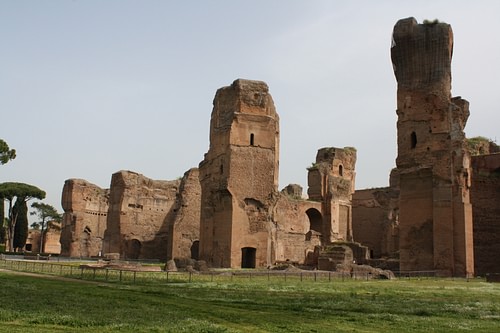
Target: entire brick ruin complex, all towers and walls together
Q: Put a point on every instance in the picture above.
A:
(230, 213)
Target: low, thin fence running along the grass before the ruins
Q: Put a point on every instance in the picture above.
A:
(85, 272)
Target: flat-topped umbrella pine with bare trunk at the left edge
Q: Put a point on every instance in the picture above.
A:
(13, 192)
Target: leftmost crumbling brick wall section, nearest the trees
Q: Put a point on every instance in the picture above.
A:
(85, 208)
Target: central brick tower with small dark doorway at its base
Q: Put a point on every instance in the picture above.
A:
(239, 177)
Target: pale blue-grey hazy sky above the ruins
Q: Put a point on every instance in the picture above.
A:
(88, 87)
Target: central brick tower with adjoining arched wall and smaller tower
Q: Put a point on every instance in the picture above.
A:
(245, 221)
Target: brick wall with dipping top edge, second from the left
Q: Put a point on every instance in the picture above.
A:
(139, 208)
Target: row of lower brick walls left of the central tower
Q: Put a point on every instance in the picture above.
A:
(136, 218)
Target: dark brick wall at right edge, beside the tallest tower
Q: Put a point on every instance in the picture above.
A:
(485, 198)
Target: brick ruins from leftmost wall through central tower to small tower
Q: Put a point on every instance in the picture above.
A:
(228, 213)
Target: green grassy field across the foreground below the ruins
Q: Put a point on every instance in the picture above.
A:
(43, 304)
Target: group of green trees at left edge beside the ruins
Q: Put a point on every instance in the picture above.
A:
(14, 226)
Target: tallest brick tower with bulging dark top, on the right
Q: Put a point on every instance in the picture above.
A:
(435, 212)
